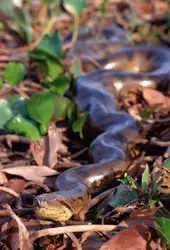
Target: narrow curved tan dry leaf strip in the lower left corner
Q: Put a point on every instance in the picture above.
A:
(24, 241)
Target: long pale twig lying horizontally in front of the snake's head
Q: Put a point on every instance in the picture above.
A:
(69, 229)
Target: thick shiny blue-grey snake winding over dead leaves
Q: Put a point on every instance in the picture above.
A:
(145, 65)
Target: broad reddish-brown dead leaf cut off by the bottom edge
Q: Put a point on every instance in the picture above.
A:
(136, 237)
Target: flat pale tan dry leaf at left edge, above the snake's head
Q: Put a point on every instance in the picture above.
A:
(31, 173)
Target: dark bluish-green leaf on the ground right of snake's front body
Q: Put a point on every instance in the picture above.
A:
(124, 195)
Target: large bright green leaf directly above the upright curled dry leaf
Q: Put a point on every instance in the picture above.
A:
(40, 107)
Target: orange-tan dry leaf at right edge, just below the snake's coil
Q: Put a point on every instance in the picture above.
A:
(153, 97)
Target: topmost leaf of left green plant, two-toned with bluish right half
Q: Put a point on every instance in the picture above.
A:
(51, 45)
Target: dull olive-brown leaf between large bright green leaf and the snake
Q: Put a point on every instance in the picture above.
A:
(61, 105)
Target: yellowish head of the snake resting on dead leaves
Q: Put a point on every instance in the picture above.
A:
(48, 206)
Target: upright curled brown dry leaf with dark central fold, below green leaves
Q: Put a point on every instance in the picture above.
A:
(45, 150)
